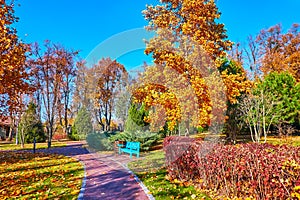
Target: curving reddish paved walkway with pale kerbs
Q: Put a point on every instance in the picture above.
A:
(106, 175)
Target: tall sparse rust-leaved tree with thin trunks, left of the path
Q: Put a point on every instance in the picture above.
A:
(54, 71)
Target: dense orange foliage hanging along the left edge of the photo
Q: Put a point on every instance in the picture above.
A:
(14, 77)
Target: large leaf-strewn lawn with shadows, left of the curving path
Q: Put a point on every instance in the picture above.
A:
(25, 175)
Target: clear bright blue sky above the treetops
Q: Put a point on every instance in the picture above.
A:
(114, 28)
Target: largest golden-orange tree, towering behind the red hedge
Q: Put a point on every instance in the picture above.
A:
(187, 52)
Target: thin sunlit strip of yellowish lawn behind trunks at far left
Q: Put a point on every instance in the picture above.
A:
(13, 146)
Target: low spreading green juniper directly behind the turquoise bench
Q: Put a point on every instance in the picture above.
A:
(146, 138)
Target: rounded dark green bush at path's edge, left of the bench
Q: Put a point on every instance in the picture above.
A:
(99, 142)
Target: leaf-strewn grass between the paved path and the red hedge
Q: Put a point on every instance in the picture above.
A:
(150, 169)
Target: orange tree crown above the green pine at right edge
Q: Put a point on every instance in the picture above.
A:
(275, 51)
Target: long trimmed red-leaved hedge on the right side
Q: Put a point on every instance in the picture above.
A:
(261, 171)
